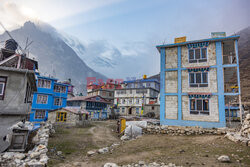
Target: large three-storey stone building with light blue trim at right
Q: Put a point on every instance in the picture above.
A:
(198, 78)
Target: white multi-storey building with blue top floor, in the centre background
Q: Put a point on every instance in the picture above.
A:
(134, 94)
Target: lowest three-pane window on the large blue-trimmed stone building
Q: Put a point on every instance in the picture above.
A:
(199, 106)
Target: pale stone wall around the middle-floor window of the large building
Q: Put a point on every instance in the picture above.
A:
(212, 82)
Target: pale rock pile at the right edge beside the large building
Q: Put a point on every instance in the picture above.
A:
(243, 135)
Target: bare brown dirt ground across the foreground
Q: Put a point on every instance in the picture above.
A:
(180, 150)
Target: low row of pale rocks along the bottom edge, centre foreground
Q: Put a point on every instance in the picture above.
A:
(141, 164)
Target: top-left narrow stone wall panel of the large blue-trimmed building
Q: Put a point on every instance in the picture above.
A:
(171, 58)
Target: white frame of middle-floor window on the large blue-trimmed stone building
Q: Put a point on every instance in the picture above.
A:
(202, 84)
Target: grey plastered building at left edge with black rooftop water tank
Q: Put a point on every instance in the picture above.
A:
(17, 84)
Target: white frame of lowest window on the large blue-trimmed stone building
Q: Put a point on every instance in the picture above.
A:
(196, 111)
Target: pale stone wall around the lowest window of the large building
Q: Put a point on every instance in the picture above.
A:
(213, 111)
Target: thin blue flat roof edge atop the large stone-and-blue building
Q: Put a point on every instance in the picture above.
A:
(196, 41)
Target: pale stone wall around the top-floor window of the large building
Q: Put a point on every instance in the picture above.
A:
(211, 57)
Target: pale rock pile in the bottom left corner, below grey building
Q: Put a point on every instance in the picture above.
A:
(35, 157)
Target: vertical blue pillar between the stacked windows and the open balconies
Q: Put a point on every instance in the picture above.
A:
(220, 82)
